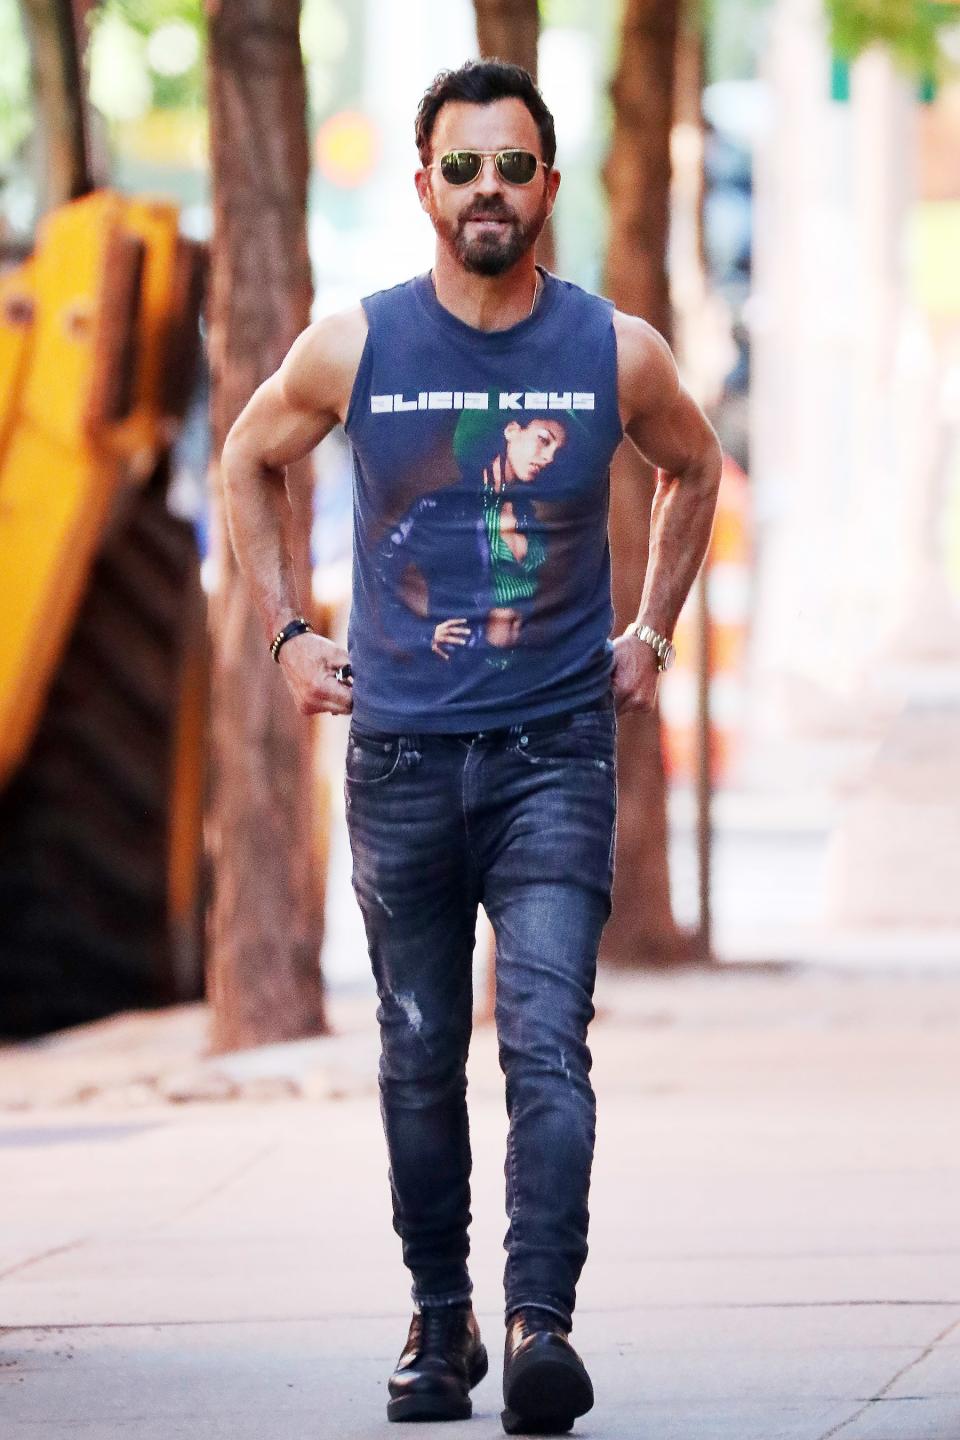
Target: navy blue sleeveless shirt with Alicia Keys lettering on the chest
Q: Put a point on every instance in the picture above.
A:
(481, 591)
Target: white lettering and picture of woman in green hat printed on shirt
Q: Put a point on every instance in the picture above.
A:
(490, 523)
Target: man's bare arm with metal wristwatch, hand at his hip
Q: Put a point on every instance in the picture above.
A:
(674, 436)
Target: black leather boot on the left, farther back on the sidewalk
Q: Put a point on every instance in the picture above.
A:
(441, 1363)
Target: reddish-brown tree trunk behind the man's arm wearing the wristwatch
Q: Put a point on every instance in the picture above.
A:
(638, 175)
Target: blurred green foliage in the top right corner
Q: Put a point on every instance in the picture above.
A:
(909, 30)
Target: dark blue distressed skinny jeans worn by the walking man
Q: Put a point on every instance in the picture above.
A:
(522, 820)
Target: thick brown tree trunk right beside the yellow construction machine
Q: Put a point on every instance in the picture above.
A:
(267, 919)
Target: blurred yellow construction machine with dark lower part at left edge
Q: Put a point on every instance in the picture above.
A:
(103, 633)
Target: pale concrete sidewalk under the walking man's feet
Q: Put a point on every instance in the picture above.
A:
(776, 1223)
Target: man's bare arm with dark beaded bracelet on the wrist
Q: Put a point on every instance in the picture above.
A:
(283, 423)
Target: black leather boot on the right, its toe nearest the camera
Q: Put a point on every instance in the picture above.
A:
(546, 1385)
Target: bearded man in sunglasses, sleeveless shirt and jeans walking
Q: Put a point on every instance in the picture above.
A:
(474, 781)
